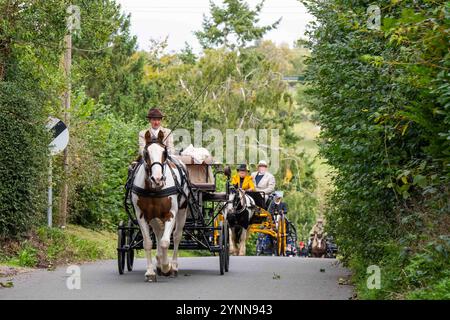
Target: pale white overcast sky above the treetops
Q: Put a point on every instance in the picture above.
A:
(178, 19)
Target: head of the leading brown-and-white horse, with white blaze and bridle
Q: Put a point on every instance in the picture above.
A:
(155, 157)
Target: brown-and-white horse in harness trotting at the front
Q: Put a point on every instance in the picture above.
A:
(159, 204)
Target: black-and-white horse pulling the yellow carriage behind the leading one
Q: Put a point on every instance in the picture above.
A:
(240, 210)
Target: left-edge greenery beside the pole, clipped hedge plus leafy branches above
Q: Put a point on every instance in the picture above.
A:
(27, 84)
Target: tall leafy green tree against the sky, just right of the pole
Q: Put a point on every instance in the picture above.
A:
(104, 60)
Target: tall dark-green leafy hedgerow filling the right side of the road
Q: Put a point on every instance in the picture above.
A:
(383, 102)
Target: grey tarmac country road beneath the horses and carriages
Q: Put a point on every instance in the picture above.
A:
(248, 278)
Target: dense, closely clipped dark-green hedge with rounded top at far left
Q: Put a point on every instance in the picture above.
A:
(23, 159)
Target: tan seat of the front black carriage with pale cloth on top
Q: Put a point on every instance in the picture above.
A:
(200, 175)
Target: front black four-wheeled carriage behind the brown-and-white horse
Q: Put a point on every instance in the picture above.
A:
(205, 228)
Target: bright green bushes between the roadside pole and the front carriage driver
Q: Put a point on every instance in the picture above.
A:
(104, 145)
